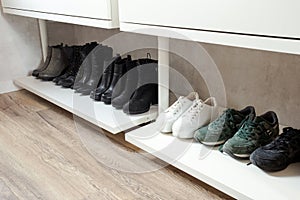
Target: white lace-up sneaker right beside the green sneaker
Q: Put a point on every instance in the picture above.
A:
(198, 115)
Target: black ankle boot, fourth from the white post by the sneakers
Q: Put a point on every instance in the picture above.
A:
(106, 79)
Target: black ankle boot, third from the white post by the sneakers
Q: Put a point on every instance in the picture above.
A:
(119, 71)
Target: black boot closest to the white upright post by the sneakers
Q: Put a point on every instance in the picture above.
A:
(147, 92)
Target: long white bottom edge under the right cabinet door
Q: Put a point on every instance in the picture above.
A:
(236, 40)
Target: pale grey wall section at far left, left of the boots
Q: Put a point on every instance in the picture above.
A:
(20, 50)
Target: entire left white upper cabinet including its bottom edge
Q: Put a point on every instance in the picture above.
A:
(96, 13)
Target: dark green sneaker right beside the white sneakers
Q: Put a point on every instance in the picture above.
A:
(224, 127)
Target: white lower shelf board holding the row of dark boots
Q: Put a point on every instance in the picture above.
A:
(104, 116)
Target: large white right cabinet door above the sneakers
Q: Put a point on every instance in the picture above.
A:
(277, 18)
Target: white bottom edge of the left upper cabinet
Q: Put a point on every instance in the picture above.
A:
(99, 23)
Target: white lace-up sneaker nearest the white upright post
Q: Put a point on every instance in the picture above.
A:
(170, 115)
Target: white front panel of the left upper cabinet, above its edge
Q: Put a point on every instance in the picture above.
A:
(96, 9)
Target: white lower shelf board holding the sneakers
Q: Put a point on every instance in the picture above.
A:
(231, 176)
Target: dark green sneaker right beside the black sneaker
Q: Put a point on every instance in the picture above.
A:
(255, 132)
